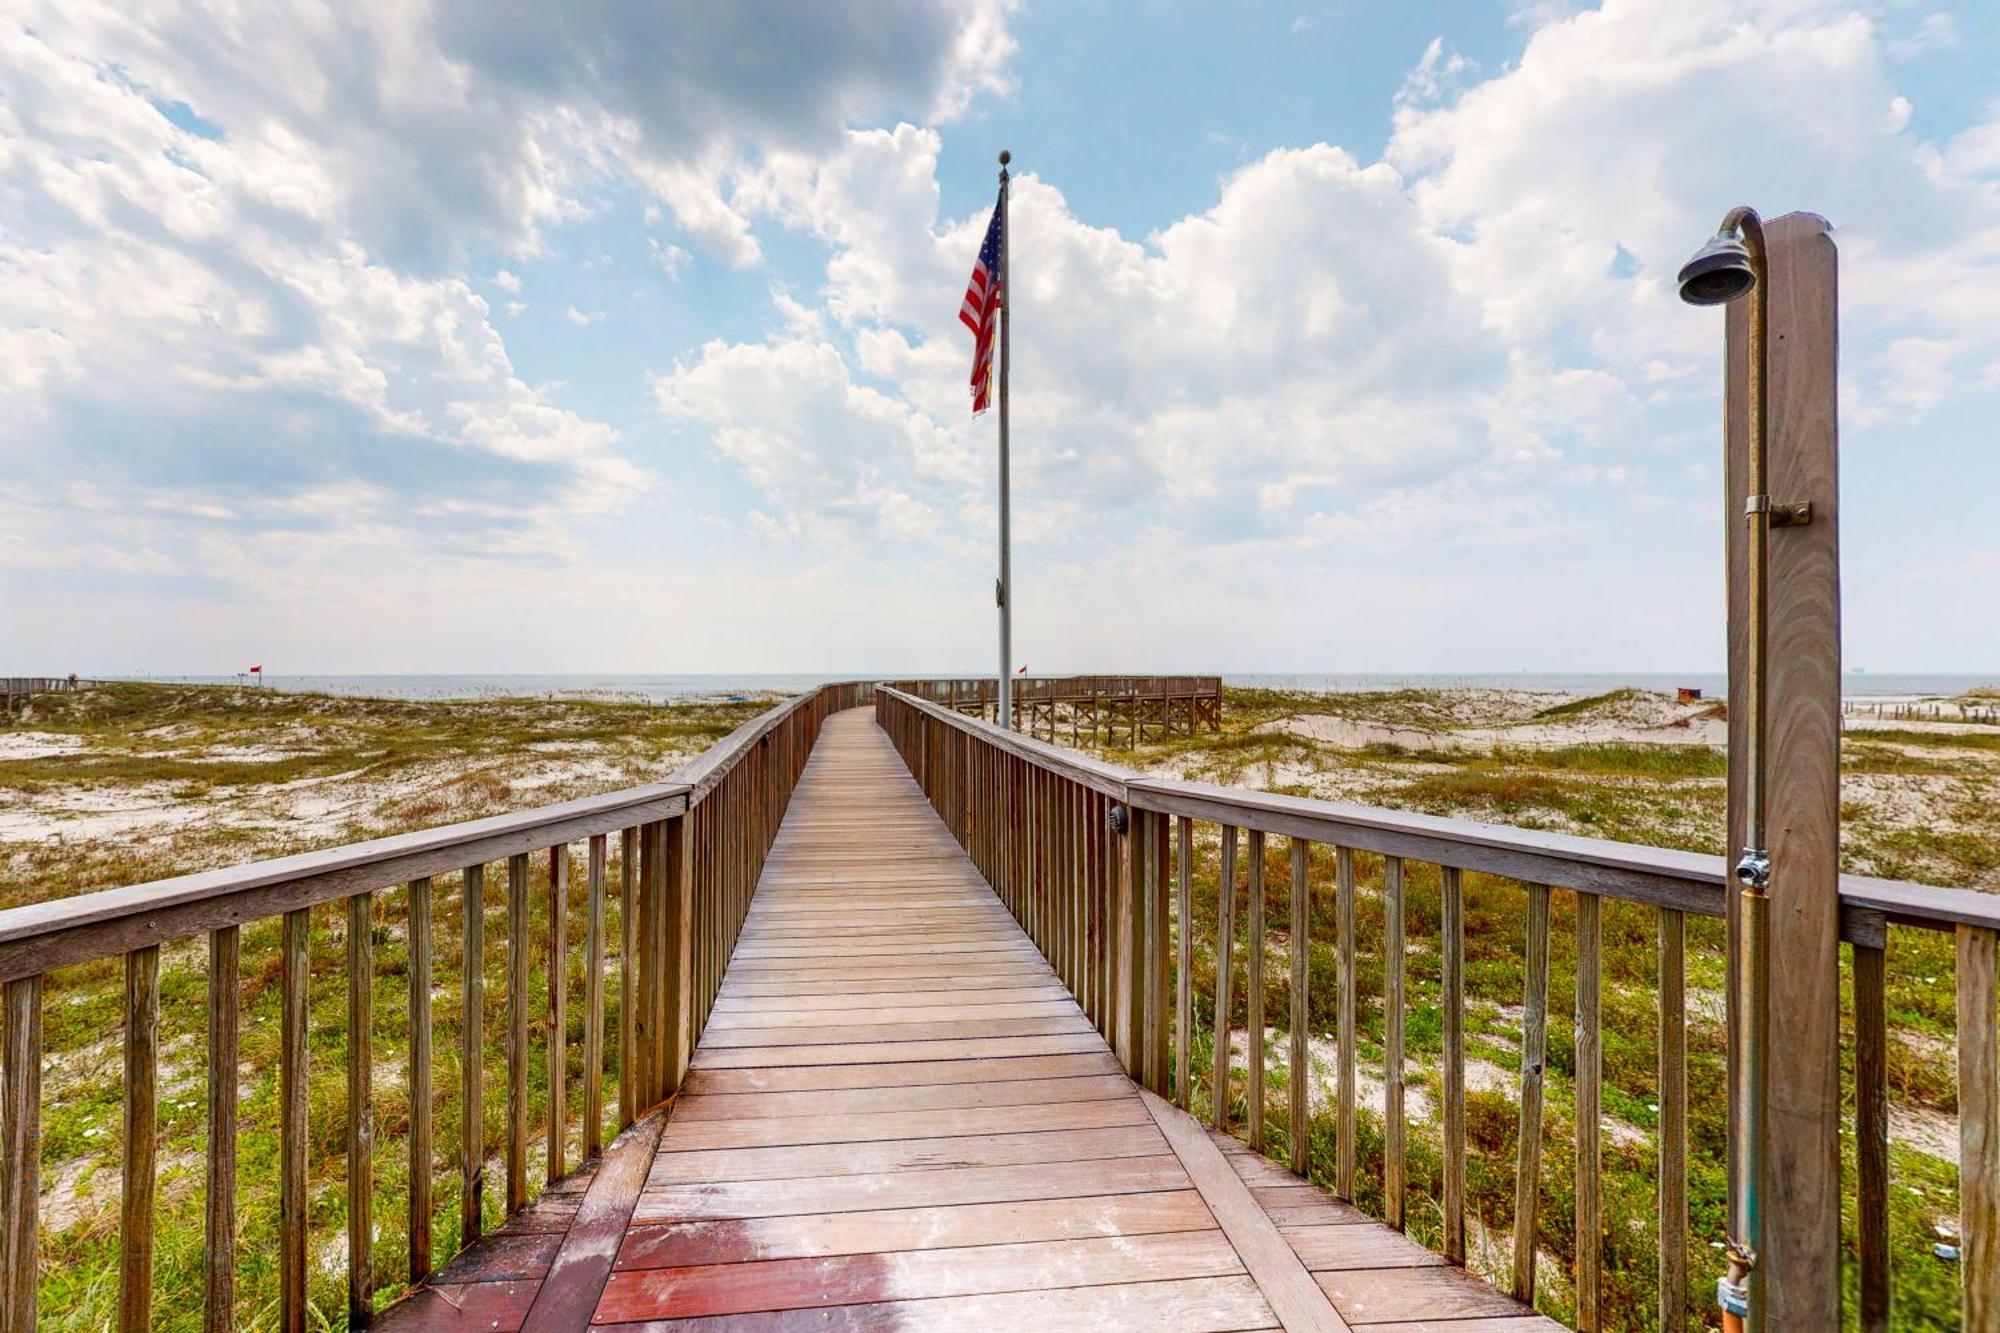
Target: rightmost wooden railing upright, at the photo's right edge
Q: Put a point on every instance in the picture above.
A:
(1979, 1128)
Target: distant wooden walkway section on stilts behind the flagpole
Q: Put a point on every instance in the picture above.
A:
(1087, 708)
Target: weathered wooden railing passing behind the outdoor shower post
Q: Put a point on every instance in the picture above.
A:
(1099, 866)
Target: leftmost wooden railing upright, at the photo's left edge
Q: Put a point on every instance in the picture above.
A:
(21, 1154)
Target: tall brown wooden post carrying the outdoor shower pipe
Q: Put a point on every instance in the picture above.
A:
(1797, 1280)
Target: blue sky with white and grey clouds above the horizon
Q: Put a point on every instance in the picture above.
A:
(615, 337)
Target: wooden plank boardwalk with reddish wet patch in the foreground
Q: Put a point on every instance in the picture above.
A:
(899, 1120)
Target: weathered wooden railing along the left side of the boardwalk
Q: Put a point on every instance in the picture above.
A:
(687, 860)
